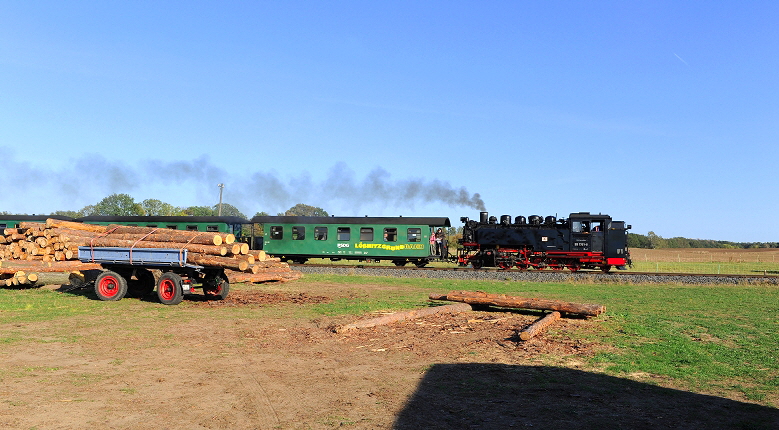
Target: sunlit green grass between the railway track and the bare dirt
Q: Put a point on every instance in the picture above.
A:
(719, 340)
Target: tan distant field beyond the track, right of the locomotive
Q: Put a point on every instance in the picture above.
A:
(707, 260)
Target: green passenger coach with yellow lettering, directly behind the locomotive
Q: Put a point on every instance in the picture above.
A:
(401, 240)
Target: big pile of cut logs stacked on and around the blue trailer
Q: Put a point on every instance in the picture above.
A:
(56, 242)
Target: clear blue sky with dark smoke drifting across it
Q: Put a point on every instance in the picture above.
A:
(661, 114)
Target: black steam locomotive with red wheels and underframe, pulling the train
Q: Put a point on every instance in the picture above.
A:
(583, 241)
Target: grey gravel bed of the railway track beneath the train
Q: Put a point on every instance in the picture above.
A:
(544, 276)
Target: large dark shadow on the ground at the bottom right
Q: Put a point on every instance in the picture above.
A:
(498, 396)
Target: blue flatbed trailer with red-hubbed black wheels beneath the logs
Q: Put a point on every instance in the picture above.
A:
(131, 269)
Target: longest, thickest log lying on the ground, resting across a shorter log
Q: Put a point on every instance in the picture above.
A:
(501, 300)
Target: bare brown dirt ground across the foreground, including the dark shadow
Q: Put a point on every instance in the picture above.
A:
(199, 368)
